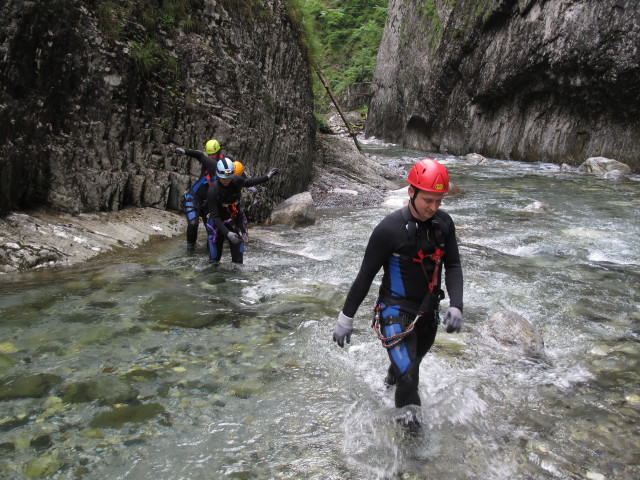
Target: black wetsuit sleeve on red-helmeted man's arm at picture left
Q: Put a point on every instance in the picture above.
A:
(378, 250)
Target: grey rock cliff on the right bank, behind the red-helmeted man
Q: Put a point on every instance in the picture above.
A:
(534, 80)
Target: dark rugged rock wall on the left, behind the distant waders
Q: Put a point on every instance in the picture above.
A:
(84, 128)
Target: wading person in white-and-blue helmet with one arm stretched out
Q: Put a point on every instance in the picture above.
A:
(225, 219)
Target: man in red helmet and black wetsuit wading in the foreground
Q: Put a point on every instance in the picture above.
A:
(411, 244)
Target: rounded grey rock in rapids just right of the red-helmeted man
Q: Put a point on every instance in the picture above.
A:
(513, 331)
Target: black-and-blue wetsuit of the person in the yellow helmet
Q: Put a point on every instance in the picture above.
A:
(194, 199)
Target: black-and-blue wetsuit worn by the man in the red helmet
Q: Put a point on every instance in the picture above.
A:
(405, 284)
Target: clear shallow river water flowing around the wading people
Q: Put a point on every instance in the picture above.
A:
(235, 375)
